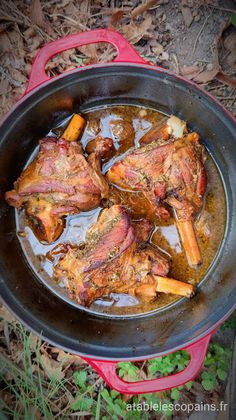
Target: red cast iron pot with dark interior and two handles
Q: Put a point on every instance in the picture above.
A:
(100, 339)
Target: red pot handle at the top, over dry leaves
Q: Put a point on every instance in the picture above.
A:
(125, 52)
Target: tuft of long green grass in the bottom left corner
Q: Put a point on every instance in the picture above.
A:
(27, 385)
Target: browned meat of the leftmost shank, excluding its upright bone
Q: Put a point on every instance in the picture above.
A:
(58, 182)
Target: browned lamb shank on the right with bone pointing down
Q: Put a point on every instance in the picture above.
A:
(171, 173)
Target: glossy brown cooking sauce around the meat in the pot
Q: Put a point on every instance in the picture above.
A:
(210, 224)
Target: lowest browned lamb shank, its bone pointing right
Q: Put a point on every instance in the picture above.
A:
(115, 259)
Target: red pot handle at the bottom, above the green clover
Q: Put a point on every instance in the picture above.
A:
(197, 351)
